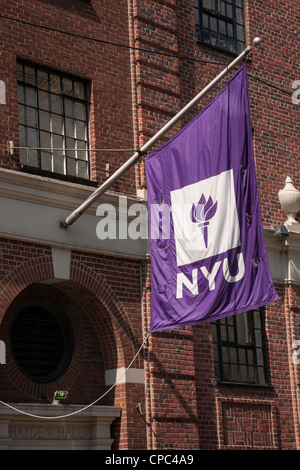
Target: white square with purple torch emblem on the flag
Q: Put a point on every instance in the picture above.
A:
(205, 218)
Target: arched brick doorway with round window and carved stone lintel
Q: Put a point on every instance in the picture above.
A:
(85, 308)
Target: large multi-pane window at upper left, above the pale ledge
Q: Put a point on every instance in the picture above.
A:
(53, 121)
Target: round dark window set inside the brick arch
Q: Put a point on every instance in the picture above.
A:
(41, 342)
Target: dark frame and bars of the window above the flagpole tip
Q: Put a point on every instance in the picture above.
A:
(218, 16)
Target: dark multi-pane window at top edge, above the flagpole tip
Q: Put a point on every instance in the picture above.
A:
(221, 24)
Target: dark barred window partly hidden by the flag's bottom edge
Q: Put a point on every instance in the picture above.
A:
(240, 348)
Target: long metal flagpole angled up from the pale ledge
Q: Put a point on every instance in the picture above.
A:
(144, 149)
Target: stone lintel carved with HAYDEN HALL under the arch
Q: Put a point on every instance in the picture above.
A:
(85, 430)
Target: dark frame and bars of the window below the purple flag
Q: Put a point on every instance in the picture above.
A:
(219, 342)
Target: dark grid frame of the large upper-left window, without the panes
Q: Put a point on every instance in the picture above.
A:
(67, 157)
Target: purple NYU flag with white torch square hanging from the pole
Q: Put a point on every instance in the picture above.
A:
(208, 257)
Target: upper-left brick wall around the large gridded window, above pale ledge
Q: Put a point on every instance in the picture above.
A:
(73, 38)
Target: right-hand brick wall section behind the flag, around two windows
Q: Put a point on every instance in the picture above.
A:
(184, 392)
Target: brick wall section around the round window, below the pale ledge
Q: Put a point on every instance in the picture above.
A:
(103, 304)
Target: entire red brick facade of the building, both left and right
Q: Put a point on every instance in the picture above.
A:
(134, 92)
